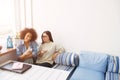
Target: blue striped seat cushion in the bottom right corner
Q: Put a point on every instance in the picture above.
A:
(112, 76)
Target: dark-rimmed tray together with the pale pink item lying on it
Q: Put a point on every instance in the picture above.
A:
(11, 66)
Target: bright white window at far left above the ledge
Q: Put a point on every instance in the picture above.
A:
(7, 21)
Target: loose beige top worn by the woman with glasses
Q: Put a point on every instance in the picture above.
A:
(50, 49)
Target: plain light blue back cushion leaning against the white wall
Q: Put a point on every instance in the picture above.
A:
(93, 60)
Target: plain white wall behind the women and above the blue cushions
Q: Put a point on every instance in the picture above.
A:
(92, 25)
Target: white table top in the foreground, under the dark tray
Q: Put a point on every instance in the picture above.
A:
(35, 73)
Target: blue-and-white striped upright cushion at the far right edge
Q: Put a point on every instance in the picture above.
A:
(113, 64)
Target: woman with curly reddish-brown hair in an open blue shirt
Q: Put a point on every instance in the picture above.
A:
(27, 47)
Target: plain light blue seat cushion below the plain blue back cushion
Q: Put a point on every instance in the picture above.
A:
(87, 74)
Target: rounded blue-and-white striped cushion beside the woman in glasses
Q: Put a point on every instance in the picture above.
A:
(67, 58)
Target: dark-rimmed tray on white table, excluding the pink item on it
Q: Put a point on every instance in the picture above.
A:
(8, 66)
